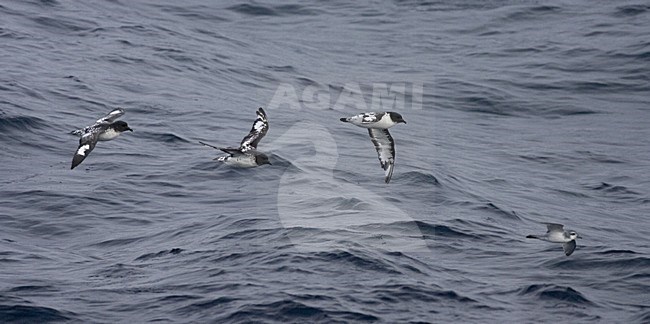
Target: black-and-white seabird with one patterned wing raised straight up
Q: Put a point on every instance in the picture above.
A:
(246, 155)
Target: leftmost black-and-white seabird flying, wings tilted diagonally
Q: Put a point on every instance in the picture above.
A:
(104, 129)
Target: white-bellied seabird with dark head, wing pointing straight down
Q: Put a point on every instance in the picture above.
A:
(378, 125)
